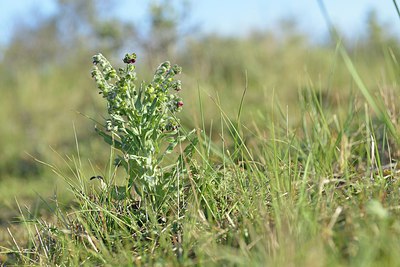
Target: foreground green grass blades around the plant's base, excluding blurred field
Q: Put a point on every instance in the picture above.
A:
(320, 194)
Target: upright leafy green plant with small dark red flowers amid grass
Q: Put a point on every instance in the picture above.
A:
(142, 117)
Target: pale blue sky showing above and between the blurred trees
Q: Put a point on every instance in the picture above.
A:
(234, 17)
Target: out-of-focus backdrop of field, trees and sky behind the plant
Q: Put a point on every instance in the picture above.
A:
(277, 48)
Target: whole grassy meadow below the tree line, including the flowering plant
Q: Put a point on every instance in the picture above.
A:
(284, 153)
